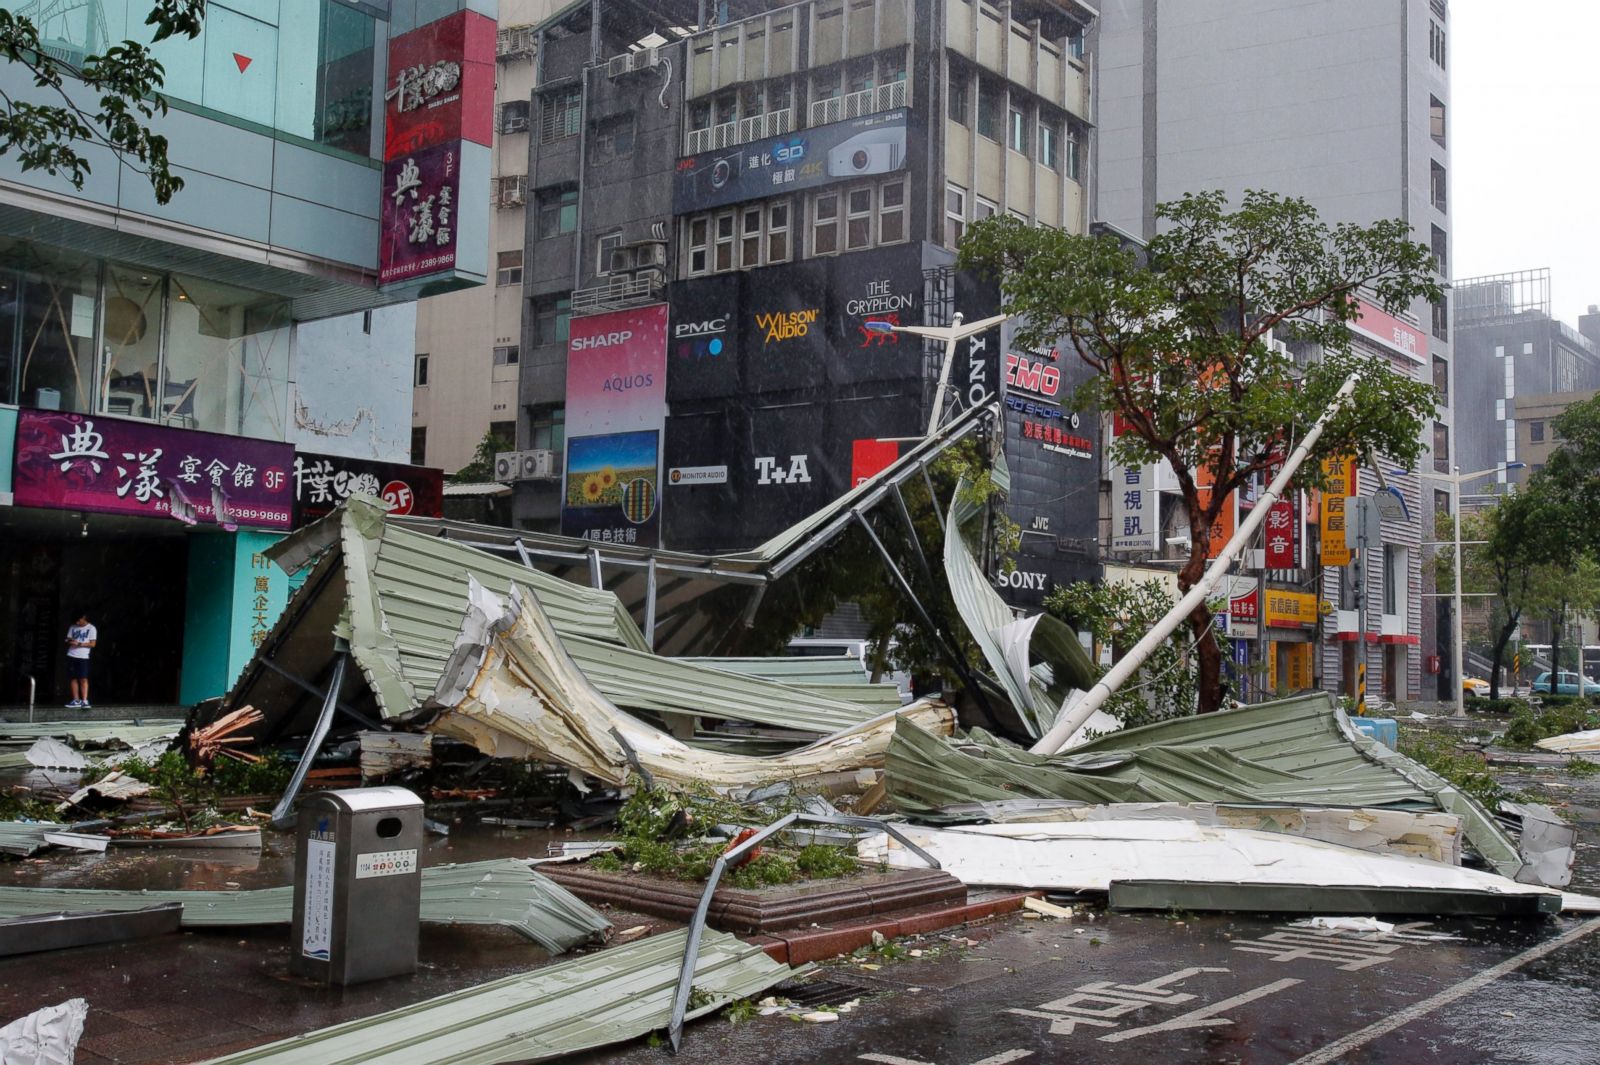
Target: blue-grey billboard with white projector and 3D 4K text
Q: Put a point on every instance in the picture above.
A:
(807, 159)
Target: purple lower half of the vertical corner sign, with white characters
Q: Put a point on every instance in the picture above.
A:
(420, 213)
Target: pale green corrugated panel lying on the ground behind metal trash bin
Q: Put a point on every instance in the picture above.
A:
(503, 893)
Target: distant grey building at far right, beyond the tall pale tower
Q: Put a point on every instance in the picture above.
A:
(1518, 367)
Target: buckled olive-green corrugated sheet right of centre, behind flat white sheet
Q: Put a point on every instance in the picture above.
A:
(1295, 752)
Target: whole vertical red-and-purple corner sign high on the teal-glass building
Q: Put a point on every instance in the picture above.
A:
(439, 116)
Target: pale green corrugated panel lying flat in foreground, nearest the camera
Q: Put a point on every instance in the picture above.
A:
(580, 1005)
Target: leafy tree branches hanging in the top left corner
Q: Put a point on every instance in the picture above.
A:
(127, 79)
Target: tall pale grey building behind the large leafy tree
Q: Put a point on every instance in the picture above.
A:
(1345, 105)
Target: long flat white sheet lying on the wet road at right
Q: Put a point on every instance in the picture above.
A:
(1089, 856)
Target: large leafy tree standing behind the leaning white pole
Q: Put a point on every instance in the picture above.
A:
(1180, 345)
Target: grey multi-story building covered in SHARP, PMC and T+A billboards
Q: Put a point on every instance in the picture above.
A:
(727, 225)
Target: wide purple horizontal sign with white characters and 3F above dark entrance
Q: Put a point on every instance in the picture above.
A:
(113, 466)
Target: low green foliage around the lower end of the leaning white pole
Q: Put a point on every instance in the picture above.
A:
(1118, 615)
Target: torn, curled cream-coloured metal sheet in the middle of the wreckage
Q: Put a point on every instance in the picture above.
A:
(514, 692)
